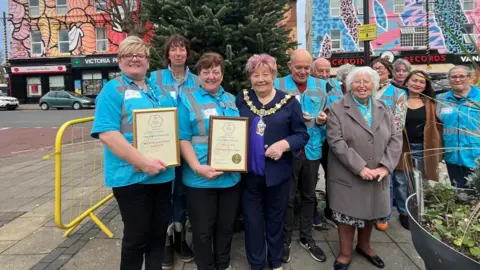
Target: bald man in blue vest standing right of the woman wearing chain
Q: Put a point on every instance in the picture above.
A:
(313, 100)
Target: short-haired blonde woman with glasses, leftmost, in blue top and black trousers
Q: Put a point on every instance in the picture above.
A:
(141, 185)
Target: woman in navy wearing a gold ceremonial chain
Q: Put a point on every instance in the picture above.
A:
(277, 132)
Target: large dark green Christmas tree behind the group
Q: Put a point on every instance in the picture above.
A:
(235, 29)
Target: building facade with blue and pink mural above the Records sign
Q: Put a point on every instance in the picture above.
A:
(401, 30)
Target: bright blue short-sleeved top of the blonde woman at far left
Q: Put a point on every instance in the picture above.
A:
(113, 112)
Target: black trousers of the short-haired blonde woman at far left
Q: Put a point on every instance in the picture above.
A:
(146, 212)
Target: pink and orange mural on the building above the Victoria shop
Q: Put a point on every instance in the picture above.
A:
(81, 20)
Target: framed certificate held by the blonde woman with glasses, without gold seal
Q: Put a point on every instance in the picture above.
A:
(170, 113)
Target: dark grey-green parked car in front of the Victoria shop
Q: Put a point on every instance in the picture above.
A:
(63, 99)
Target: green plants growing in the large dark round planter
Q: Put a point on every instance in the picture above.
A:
(453, 217)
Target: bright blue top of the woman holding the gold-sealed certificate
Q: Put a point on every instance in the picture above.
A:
(194, 111)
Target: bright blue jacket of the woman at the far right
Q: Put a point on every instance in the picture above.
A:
(461, 127)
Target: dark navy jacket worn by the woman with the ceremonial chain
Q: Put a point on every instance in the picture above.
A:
(287, 123)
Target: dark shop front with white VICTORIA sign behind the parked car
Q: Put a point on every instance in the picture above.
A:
(91, 73)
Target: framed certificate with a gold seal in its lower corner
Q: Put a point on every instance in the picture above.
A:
(242, 155)
